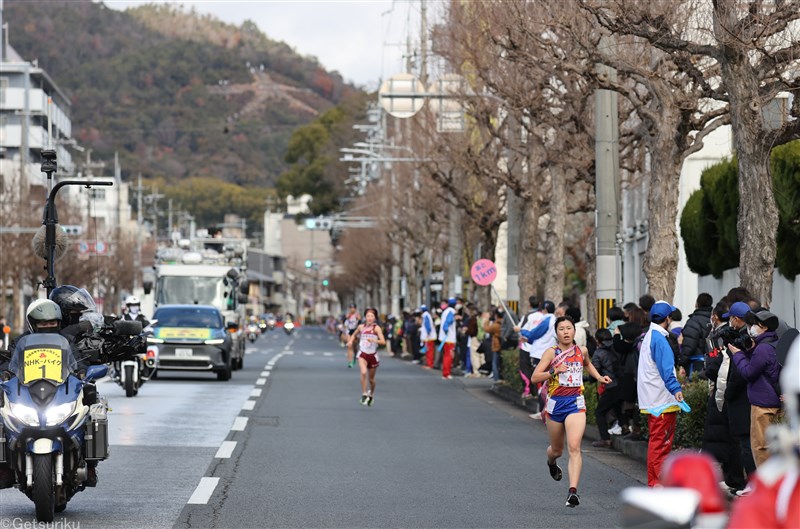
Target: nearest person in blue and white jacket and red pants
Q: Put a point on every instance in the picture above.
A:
(658, 389)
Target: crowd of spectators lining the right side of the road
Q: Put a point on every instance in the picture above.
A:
(647, 349)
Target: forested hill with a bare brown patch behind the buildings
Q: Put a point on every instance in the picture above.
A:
(177, 93)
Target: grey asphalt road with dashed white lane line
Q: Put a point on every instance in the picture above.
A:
(285, 443)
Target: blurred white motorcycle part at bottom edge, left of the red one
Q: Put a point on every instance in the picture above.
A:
(666, 508)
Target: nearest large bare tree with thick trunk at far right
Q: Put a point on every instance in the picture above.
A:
(750, 52)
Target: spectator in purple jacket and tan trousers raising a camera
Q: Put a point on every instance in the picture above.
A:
(759, 367)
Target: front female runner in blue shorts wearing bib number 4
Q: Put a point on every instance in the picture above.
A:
(562, 366)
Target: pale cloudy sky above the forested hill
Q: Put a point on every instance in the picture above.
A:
(358, 38)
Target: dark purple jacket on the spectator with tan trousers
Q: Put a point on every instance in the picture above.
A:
(759, 367)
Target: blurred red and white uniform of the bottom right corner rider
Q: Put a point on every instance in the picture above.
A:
(775, 500)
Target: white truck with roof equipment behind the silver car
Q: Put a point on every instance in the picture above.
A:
(205, 271)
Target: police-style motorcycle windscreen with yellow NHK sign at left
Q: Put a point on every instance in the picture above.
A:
(45, 356)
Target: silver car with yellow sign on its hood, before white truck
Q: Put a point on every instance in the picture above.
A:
(193, 338)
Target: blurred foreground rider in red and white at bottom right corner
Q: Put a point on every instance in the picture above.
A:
(775, 499)
